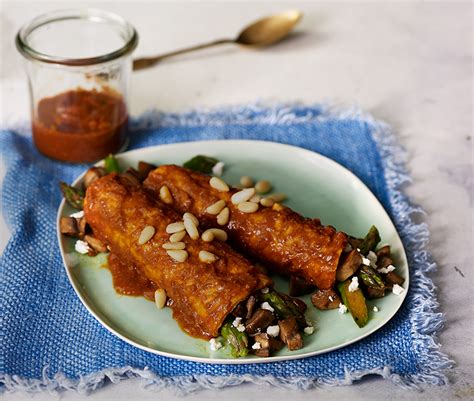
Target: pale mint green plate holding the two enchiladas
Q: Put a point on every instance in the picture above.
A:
(316, 187)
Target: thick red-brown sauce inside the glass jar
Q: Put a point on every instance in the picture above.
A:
(81, 125)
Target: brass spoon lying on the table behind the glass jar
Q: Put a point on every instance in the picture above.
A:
(264, 32)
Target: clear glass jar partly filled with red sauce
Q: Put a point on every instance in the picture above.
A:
(79, 65)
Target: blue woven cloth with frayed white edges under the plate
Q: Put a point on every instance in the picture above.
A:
(43, 323)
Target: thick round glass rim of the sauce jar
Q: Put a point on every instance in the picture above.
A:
(89, 14)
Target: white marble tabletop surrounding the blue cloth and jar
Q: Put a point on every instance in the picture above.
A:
(409, 63)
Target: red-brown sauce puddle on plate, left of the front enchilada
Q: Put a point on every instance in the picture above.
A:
(128, 280)
